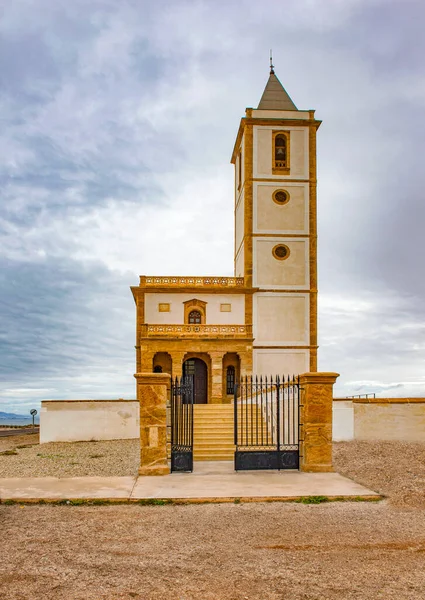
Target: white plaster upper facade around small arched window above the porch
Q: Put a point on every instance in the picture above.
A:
(176, 314)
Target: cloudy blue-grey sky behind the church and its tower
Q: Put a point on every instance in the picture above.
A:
(118, 122)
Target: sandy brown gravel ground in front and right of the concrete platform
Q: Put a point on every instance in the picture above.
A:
(262, 551)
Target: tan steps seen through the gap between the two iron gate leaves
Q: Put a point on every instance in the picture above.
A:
(213, 432)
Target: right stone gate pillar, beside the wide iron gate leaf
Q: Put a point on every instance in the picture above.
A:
(316, 421)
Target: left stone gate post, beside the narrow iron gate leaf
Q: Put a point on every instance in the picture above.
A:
(152, 397)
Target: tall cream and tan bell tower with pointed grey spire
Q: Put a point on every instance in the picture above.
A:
(276, 230)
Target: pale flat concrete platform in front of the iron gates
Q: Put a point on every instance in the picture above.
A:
(210, 482)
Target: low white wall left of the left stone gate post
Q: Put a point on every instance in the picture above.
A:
(84, 420)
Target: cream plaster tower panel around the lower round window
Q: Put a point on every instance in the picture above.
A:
(291, 273)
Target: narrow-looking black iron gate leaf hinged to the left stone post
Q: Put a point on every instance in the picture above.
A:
(182, 393)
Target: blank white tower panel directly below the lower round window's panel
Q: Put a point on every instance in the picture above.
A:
(281, 319)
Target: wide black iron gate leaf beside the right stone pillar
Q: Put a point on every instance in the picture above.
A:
(267, 423)
